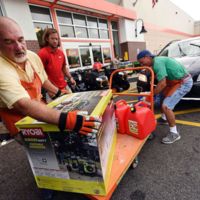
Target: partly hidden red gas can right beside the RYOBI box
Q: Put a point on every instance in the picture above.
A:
(121, 110)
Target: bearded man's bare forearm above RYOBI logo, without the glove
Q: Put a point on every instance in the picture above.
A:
(37, 110)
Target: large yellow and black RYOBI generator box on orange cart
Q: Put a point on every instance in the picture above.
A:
(68, 161)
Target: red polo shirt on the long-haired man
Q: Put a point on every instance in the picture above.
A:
(53, 62)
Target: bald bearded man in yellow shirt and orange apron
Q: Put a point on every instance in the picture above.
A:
(22, 76)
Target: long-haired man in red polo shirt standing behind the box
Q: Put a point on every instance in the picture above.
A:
(54, 60)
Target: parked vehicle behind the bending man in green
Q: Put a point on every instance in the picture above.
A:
(187, 52)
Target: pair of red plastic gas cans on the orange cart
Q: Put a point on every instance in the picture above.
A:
(137, 120)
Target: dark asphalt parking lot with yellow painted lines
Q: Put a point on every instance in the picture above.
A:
(164, 172)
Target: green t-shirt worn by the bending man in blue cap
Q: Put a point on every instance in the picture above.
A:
(165, 67)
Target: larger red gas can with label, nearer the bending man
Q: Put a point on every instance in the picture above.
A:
(140, 120)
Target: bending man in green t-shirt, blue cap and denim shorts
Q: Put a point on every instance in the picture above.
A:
(174, 82)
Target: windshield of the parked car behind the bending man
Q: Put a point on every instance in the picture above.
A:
(185, 48)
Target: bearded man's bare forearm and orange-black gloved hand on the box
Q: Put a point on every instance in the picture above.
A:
(71, 120)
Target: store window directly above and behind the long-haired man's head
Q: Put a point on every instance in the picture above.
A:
(41, 19)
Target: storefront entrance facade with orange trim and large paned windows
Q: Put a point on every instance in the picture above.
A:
(89, 30)
